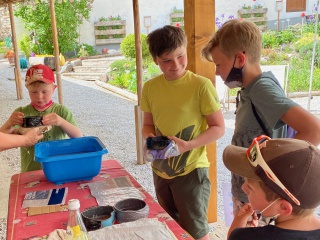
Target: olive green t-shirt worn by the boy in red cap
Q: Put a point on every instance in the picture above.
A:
(28, 162)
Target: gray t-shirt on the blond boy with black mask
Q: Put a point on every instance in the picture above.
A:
(270, 103)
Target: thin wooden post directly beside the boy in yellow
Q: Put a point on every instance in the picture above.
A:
(138, 115)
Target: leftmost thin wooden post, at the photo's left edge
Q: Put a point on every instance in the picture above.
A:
(17, 74)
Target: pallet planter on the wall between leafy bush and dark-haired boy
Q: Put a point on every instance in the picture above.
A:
(109, 32)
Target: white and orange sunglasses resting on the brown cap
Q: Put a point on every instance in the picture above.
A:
(255, 158)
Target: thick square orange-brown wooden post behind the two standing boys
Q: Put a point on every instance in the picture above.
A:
(199, 24)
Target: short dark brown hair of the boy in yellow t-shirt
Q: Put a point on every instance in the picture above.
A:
(165, 39)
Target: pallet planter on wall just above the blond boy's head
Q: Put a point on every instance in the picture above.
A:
(258, 16)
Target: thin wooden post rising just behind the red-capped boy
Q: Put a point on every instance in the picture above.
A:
(56, 51)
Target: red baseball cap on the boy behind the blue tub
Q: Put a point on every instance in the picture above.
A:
(39, 72)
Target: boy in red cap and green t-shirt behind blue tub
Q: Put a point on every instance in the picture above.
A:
(40, 83)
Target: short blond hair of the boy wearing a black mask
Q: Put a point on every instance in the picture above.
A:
(236, 36)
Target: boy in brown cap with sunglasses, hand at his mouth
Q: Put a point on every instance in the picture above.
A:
(281, 182)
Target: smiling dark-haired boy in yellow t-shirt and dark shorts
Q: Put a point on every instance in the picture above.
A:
(184, 107)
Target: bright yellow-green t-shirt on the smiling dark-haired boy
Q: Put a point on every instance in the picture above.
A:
(178, 108)
